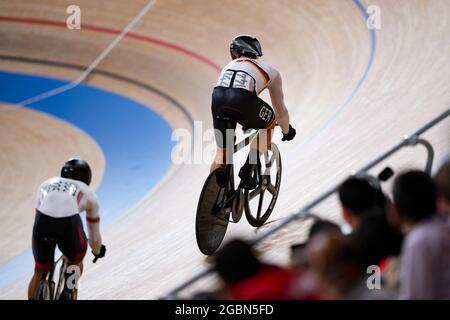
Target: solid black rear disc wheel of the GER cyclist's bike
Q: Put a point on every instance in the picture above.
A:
(211, 221)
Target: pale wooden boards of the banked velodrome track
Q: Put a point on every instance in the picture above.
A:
(351, 95)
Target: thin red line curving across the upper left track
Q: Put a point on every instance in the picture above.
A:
(139, 37)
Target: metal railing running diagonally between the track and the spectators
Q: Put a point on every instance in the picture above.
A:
(411, 140)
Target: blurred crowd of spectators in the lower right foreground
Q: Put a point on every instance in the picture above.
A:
(399, 248)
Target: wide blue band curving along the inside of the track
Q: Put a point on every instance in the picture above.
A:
(135, 142)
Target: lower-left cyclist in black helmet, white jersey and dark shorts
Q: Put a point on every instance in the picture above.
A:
(60, 200)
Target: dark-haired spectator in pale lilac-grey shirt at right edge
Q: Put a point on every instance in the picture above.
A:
(425, 259)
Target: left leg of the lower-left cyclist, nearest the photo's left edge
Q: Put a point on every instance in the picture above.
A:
(43, 252)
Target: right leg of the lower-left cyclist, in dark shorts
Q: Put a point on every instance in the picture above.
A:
(74, 243)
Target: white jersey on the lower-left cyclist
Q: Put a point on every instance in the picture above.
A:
(61, 197)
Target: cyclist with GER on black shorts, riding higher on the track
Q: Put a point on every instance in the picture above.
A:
(235, 96)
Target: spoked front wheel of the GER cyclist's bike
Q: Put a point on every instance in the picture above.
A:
(260, 202)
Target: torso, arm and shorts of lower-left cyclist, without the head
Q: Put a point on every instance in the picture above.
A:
(59, 204)
